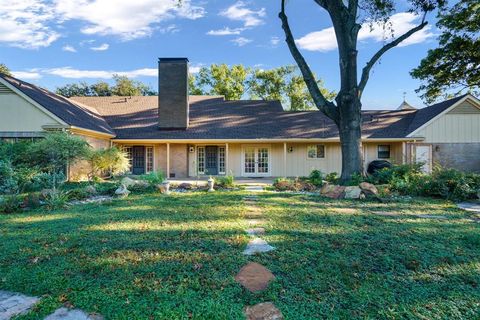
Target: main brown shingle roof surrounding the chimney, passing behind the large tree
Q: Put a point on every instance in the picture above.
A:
(214, 118)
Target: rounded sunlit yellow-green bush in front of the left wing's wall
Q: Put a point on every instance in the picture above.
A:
(112, 161)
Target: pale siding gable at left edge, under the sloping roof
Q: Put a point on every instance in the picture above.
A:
(17, 114)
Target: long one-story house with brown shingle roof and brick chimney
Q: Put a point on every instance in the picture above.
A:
(189, 136)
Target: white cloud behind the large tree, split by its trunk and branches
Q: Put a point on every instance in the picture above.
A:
(325, 40)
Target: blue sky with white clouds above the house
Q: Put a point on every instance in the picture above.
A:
(54, 42)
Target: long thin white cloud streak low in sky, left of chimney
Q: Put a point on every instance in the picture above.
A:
(71, 73)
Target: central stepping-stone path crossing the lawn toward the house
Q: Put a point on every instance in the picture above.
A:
(253, 276)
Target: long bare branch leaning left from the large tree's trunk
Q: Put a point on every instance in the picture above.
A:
(327, 107)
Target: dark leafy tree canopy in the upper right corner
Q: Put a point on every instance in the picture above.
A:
(454, 66)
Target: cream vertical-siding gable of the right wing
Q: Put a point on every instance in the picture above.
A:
(458, 124)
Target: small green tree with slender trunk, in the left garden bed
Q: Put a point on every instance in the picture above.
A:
(56, 151)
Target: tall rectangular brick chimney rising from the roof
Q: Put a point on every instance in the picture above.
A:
(173, 106)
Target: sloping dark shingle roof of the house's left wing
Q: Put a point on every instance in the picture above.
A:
(72, 113)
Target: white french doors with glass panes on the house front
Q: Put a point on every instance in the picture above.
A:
(256, 161)
